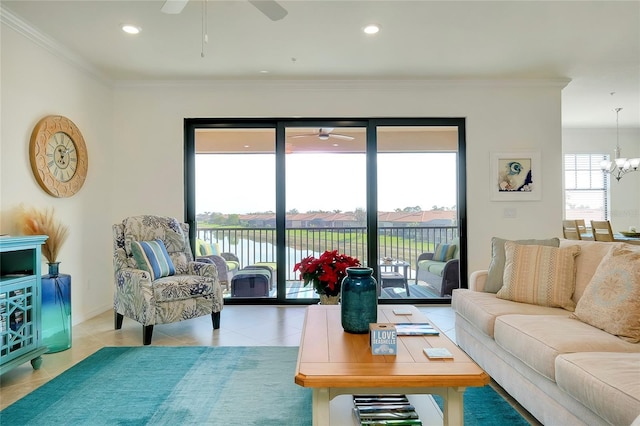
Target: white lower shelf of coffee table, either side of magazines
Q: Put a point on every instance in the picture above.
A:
(426, 407)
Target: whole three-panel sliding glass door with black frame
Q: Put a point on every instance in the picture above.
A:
(265, 193)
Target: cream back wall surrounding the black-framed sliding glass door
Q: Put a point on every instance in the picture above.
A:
(501, 116)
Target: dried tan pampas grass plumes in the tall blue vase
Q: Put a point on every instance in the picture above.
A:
(33, 221)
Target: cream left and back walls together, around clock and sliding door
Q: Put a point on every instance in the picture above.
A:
(134, 135)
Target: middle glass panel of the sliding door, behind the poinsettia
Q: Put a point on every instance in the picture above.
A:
(326, 196)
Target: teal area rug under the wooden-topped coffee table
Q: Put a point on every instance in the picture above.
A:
(159, 385)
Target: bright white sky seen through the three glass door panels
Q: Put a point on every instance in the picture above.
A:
(245, 183)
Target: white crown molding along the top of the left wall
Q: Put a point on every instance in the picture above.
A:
(24, 28)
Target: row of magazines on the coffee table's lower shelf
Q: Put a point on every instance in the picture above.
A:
(374, 410)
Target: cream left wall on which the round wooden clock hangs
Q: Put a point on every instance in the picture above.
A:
(34, 84)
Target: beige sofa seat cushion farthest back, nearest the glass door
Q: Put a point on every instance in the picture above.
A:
(481, 309)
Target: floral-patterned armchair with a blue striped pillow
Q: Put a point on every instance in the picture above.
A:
(189, 289)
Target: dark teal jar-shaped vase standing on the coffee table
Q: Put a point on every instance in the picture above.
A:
(359, 300)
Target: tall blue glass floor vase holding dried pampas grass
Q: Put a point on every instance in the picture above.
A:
(56, 287)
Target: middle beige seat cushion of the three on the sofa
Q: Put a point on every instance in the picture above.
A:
(538, 340)
